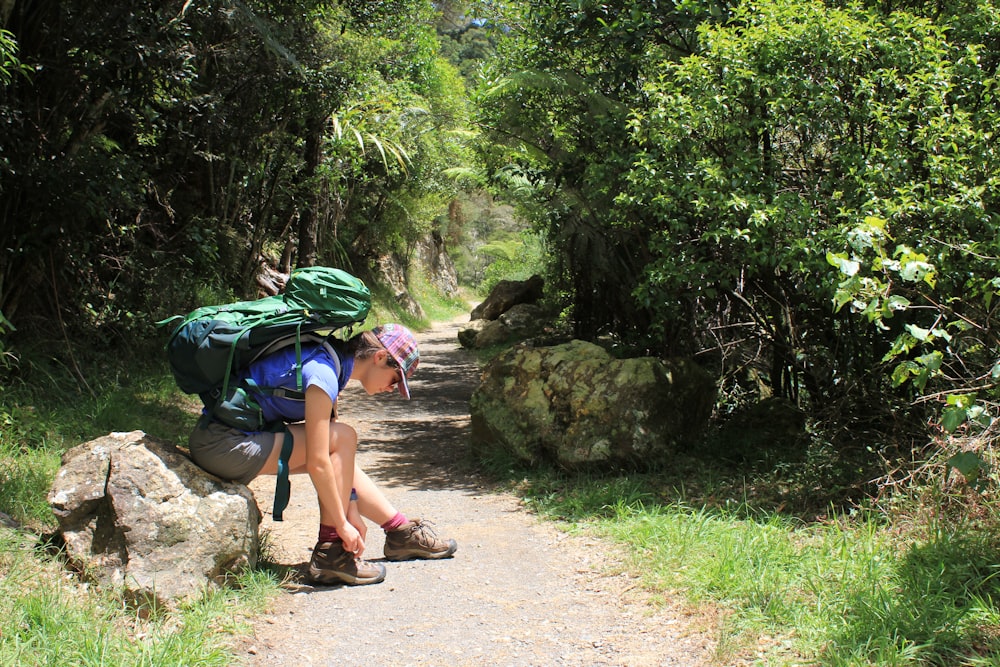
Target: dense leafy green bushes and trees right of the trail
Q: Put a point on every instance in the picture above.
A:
(801, 194)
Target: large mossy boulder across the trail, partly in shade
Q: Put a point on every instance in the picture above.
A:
(575, 405)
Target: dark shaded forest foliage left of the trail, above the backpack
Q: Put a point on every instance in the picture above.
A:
(179, 145)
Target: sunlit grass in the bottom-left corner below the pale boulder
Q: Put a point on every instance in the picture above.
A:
(48, 618)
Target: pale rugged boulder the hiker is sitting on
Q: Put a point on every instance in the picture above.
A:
(137, 515)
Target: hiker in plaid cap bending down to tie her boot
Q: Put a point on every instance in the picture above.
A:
(382, 360)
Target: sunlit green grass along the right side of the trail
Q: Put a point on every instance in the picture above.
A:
(847, 589)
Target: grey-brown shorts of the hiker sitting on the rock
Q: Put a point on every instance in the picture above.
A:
(229, 453)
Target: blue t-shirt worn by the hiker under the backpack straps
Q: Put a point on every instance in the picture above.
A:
(278, 370)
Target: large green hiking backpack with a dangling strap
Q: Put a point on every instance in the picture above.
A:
(212, 344)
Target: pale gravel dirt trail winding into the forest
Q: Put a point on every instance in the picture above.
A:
(517, 592)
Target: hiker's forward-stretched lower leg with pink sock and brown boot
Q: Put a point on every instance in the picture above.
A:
(405, 539)
